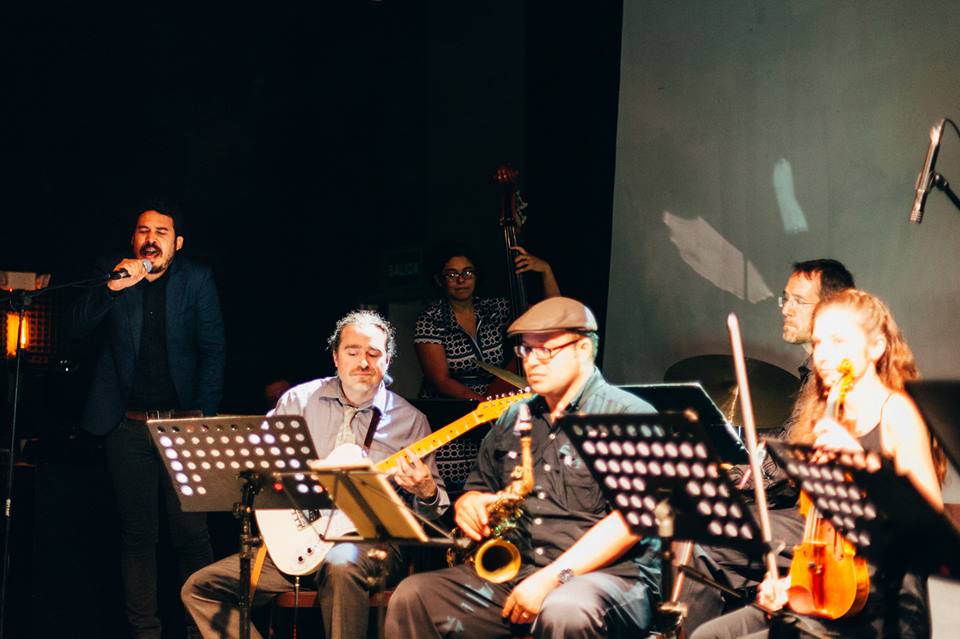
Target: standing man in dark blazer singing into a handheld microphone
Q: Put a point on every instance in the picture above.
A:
(162, 356)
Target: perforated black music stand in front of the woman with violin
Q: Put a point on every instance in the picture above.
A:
(875, 508)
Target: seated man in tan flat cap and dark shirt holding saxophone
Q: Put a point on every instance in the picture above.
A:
(583, 573)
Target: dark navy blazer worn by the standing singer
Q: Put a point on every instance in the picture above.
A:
(195, 342)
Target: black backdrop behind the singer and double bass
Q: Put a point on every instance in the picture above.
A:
(314, 146)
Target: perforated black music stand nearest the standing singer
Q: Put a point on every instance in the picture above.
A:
(211, 459)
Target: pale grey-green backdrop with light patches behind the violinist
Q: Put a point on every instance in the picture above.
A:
(755, 134)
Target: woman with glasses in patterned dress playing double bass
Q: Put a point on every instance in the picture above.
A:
(456, 332)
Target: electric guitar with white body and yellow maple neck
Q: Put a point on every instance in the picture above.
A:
(295, 539)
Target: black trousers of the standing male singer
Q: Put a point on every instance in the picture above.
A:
(140, 482)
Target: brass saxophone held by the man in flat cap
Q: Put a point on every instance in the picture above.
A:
(496, 559)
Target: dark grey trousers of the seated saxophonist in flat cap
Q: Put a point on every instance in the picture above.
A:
(455, 602)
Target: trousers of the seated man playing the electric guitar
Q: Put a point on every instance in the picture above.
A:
(211, 594)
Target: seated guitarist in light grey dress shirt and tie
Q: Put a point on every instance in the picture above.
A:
(338, 410)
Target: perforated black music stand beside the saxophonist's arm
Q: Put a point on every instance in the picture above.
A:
(663, 474)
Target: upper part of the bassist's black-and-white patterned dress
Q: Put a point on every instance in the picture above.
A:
(438, 325)
